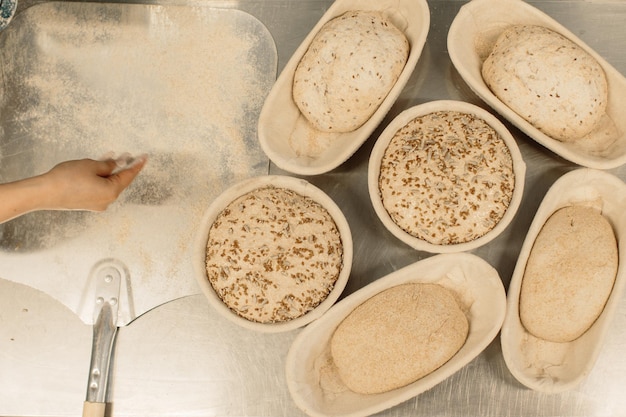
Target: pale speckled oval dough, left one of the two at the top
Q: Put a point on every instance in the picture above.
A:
(348, 70)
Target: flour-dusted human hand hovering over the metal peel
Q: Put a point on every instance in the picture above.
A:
(87, 184)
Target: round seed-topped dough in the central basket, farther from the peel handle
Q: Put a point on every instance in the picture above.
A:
(446, 178)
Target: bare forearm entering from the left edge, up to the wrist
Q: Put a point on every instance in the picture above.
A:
(20, 197)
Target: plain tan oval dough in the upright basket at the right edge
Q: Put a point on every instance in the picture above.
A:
(569, 274)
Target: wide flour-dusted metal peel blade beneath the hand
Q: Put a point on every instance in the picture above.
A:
(183, 85)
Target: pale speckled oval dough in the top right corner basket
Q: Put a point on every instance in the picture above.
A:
(548, 80)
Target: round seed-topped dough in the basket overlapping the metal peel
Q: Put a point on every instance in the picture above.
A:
(273, 255)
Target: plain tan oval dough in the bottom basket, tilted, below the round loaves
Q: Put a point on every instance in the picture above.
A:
(397, 337)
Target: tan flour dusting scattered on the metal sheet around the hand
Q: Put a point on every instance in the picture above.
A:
(182, 85)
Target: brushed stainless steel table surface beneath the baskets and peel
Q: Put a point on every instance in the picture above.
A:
(183, 359)
